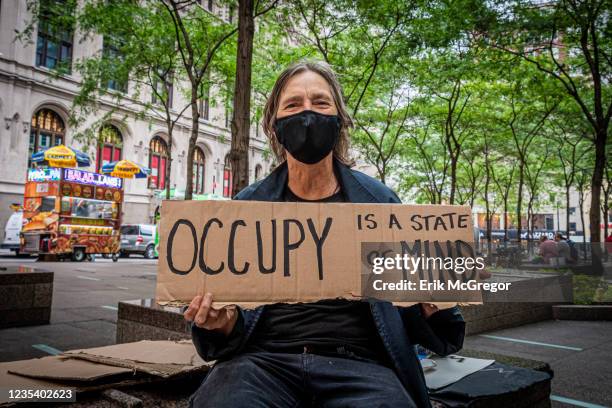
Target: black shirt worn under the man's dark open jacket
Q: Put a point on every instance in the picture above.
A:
(331, 327)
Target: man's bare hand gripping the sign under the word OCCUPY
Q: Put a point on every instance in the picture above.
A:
(205, 316)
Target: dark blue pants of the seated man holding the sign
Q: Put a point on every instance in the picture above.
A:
(299, 380)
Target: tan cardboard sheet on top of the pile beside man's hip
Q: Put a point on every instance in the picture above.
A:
(159, 358)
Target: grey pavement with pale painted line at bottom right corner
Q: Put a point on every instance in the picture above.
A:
(579, 352)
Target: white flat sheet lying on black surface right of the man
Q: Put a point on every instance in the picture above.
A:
(451, 369)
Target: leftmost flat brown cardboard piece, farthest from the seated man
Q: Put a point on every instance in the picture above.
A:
(58, 368)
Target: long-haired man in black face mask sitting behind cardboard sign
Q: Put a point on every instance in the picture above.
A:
(335, 352)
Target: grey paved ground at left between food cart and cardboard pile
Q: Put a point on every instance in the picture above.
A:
(84, 311)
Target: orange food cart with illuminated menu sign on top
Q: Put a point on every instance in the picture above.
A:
(71, 213)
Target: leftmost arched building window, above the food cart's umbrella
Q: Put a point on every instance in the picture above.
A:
(46, 130)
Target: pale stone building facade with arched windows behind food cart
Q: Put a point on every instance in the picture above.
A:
(34, 109)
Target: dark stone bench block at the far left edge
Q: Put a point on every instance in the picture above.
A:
(25, 296)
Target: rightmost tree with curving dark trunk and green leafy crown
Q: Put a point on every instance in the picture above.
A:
(566, 40)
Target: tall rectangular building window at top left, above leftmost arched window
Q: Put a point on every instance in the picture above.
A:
(54, 39)
